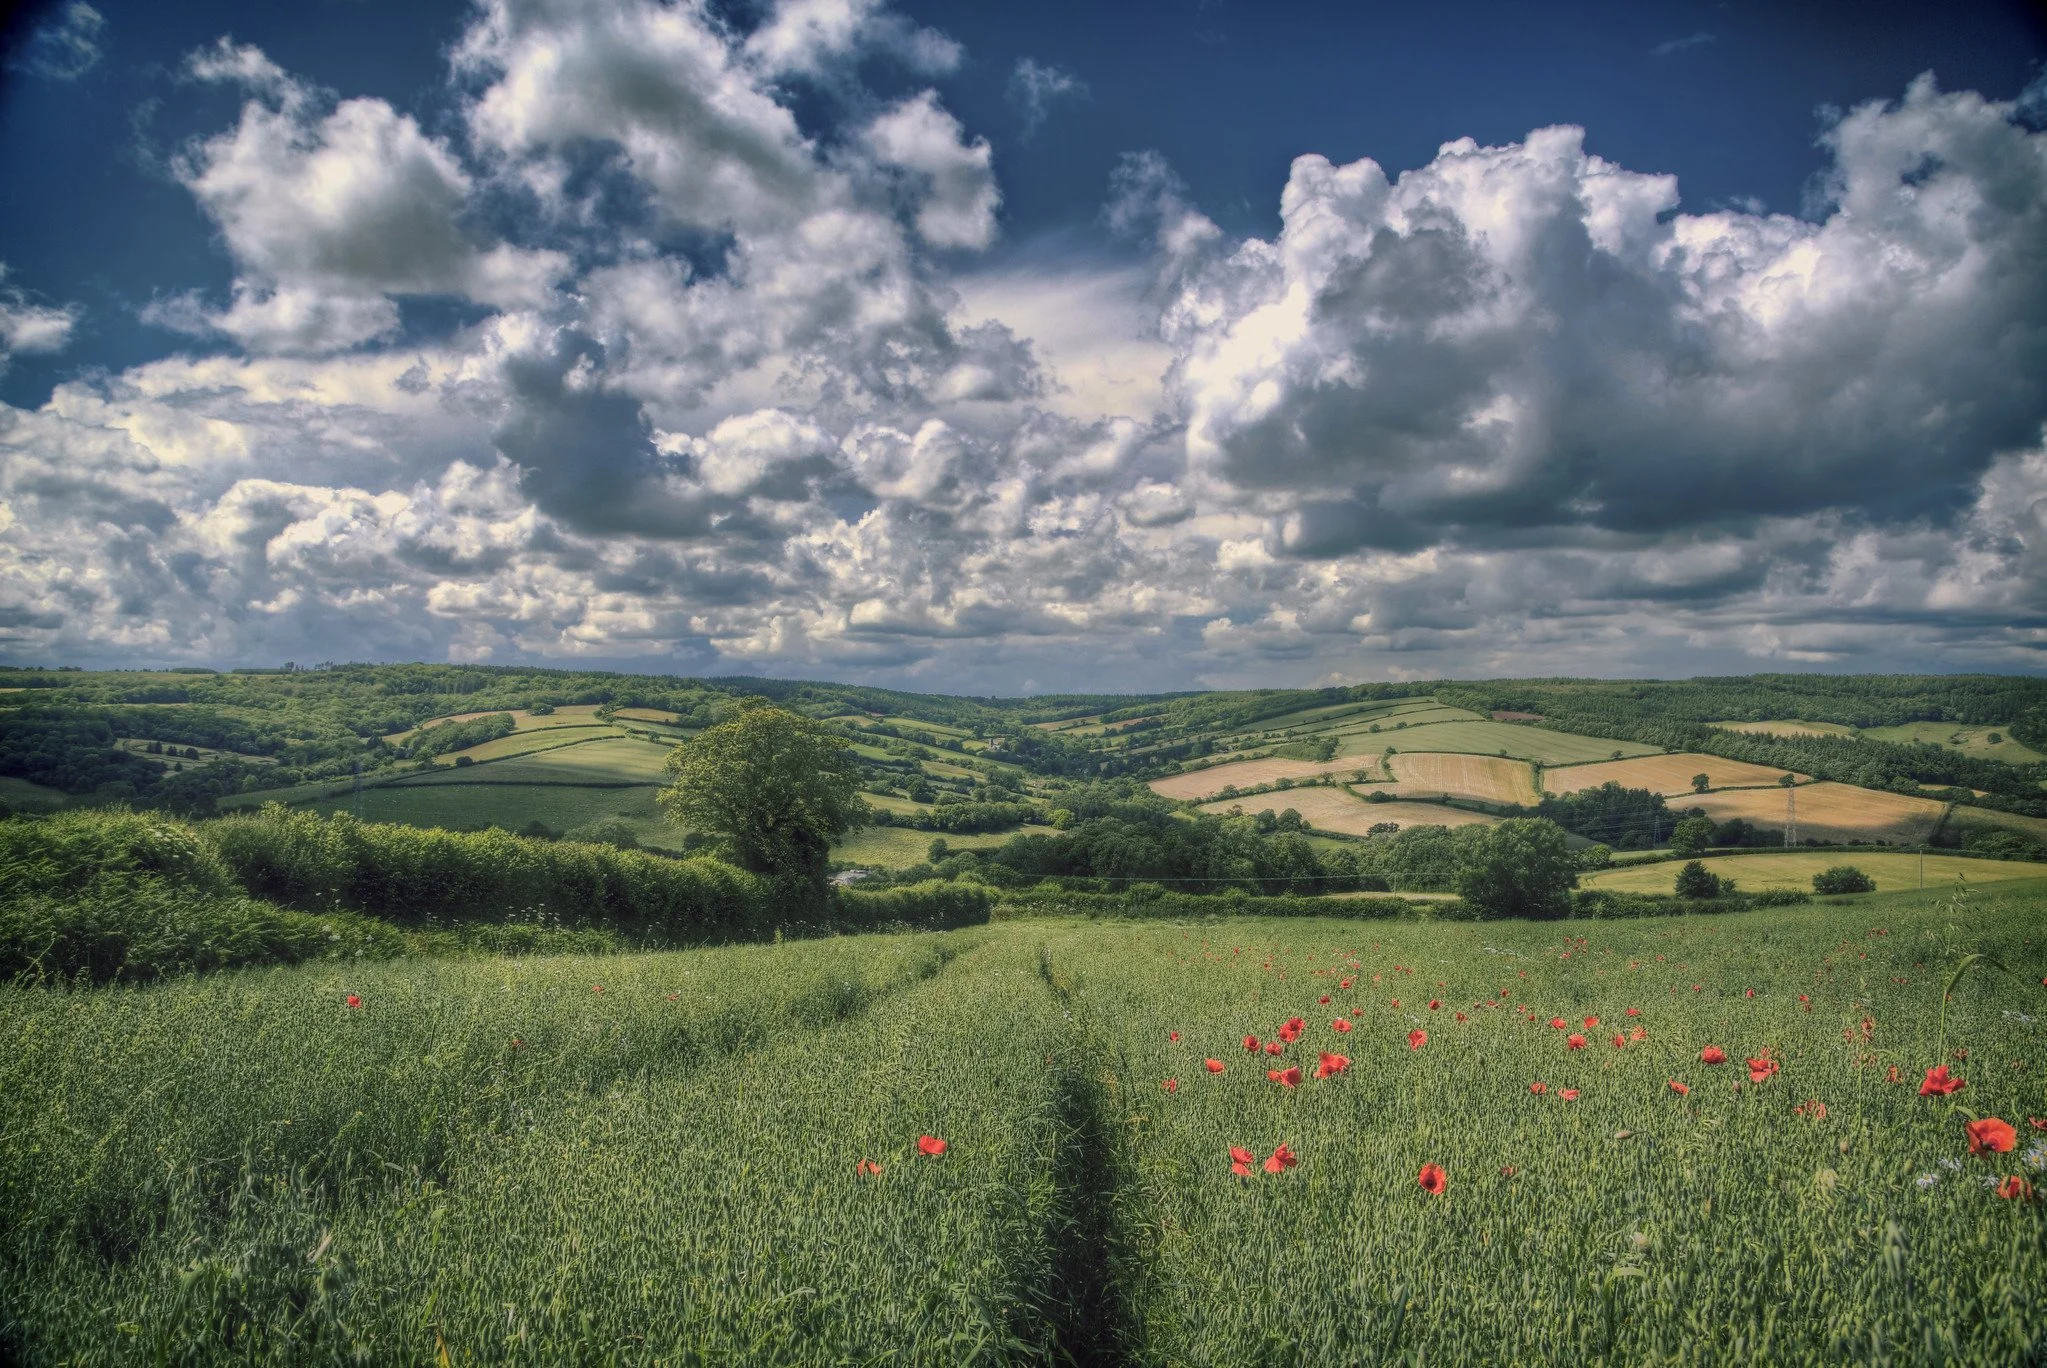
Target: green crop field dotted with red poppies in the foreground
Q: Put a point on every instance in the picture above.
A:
(1475, 1144)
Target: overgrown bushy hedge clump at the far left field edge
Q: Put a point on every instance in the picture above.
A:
(138, 931)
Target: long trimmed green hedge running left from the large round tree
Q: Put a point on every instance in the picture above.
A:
(429, 878)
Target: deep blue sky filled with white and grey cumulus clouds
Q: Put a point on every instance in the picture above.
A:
(1027, 349)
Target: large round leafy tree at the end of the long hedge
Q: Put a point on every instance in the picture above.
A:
(779, 787)
